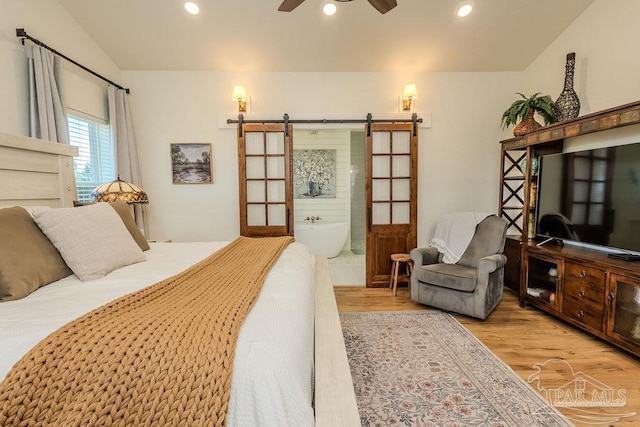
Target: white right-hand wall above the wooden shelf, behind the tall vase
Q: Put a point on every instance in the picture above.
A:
(605, 41)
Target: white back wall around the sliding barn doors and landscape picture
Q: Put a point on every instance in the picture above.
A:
(458, 155)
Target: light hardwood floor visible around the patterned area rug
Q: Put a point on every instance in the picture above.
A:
(525, 337)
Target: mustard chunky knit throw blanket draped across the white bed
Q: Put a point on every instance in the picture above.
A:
(157, 357)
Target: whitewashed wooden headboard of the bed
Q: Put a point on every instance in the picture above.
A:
(36, 172)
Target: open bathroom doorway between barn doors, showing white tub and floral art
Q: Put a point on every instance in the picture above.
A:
(332, 209)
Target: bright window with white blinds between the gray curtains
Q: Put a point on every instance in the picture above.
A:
(95, 163)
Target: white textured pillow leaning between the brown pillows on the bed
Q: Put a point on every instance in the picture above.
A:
(92, 240)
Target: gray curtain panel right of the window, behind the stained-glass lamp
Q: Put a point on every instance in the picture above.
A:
(126, 151)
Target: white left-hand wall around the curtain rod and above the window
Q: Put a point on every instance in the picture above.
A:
(50, 23)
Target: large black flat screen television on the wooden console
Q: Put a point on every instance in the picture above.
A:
(591, 198)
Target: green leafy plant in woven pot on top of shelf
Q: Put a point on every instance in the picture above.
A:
(521, 112)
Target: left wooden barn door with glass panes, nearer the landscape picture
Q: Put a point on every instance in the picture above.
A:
(265, 180)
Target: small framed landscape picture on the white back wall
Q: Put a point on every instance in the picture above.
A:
(191, 163)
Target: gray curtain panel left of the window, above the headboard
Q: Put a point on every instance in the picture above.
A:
(47, 112)
